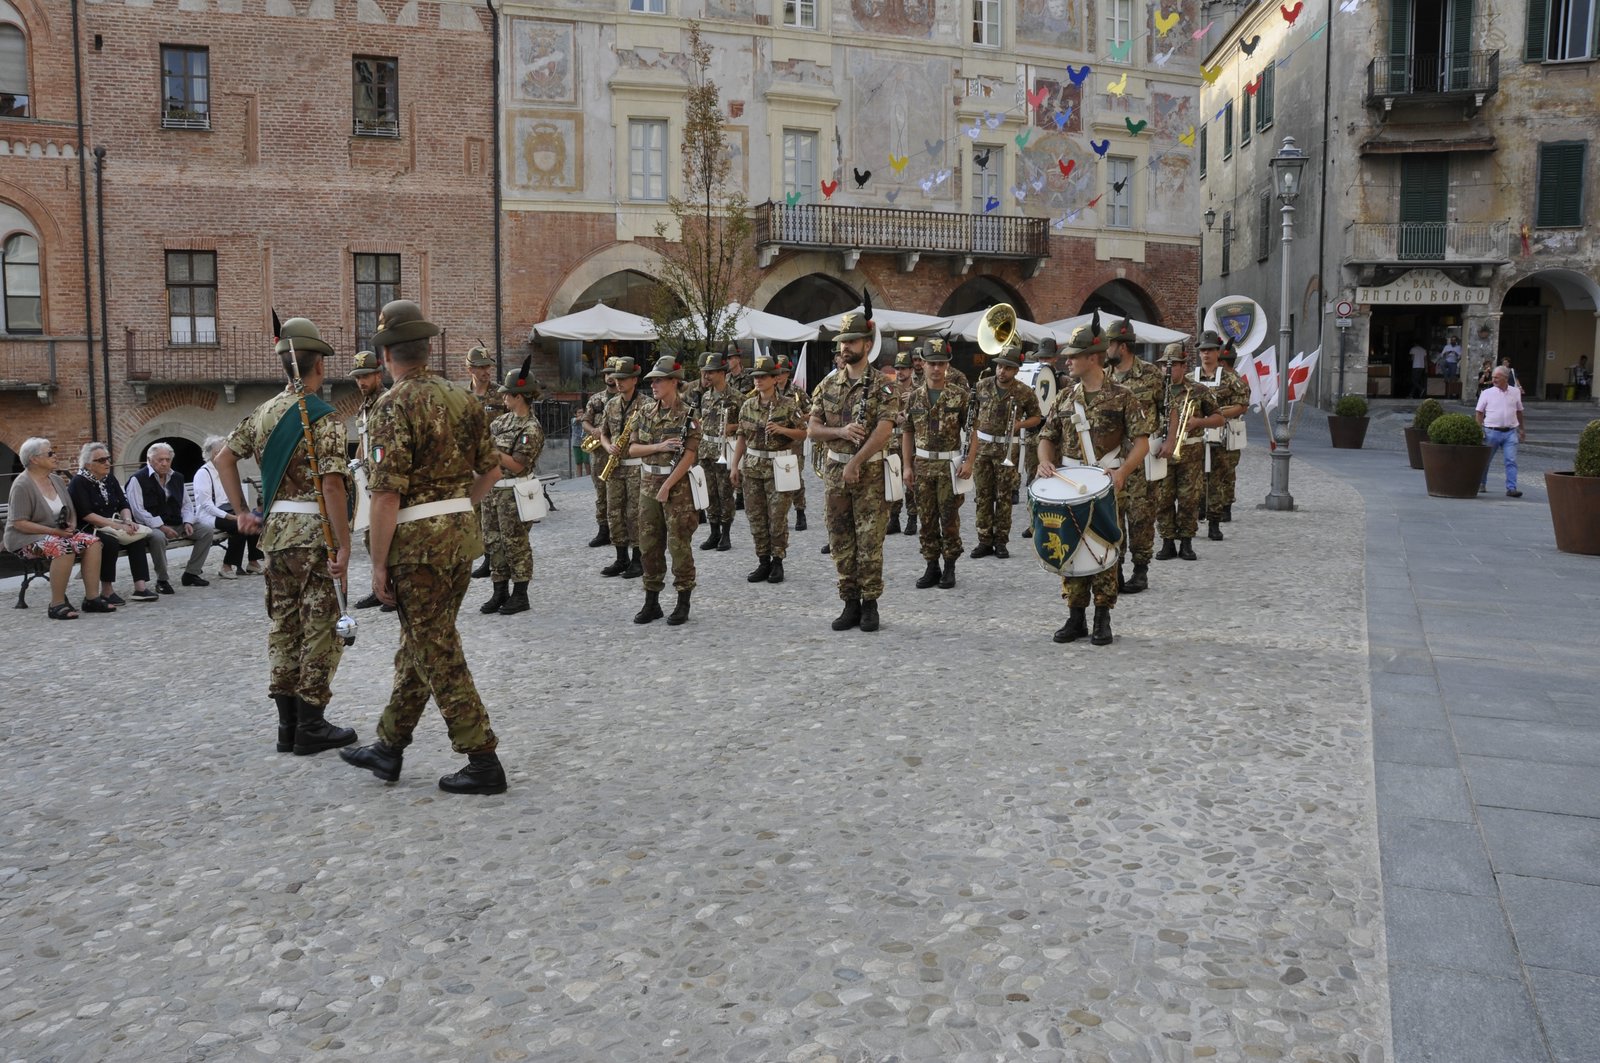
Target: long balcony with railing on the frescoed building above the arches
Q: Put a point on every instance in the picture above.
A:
(908, 233)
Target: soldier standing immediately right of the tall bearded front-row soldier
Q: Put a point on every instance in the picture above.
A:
(932, 444)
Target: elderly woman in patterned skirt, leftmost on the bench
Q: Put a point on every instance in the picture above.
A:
(44, 524)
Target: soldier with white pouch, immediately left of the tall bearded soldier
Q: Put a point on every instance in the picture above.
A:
(772, 423)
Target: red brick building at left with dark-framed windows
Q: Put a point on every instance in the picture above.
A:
(318, 158)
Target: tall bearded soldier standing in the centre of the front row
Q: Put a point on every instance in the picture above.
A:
(852, 415)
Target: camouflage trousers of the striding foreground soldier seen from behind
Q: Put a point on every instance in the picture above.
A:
(431, 662)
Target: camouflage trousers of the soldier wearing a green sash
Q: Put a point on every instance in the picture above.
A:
(303, 651)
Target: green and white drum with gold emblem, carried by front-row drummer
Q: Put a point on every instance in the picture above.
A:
(1074, 516)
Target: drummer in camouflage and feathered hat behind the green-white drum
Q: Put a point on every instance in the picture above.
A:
(1119, 433)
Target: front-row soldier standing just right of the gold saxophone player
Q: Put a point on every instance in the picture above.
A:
(668, 439)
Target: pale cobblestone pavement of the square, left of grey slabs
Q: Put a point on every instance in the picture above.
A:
(748, 838)
